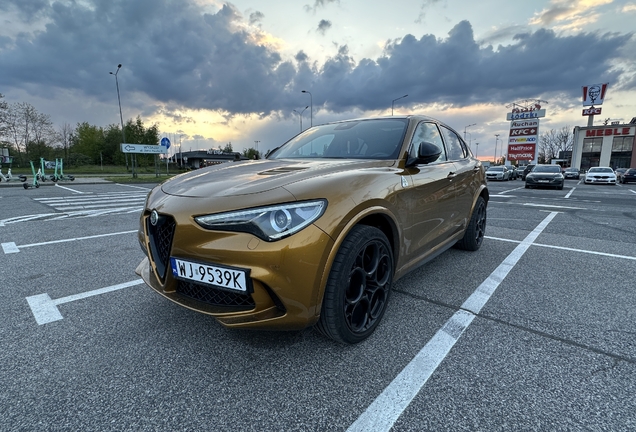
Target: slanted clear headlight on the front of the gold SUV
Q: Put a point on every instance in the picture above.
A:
(267, 223)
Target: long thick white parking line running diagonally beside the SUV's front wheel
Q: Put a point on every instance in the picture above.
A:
(389, 405)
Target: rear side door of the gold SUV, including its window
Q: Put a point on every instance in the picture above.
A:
(466, 182)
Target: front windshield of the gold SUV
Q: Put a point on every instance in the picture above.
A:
(359, 139)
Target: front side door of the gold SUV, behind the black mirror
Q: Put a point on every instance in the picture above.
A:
(427, 197)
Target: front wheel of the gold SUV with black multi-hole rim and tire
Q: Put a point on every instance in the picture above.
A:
(359, 286)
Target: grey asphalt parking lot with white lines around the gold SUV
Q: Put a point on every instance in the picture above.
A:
(535, 331)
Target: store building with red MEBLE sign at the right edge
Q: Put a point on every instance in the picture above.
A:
(607, 145)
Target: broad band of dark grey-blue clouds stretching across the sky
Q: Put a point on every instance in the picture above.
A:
(214, 60)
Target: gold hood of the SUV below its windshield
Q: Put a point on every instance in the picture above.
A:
(242, 178)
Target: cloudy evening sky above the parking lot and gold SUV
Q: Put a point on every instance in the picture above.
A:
(208, 72)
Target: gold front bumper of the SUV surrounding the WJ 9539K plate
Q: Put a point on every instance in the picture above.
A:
(287, 276)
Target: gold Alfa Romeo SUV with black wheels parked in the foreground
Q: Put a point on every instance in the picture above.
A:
(318, 232)
